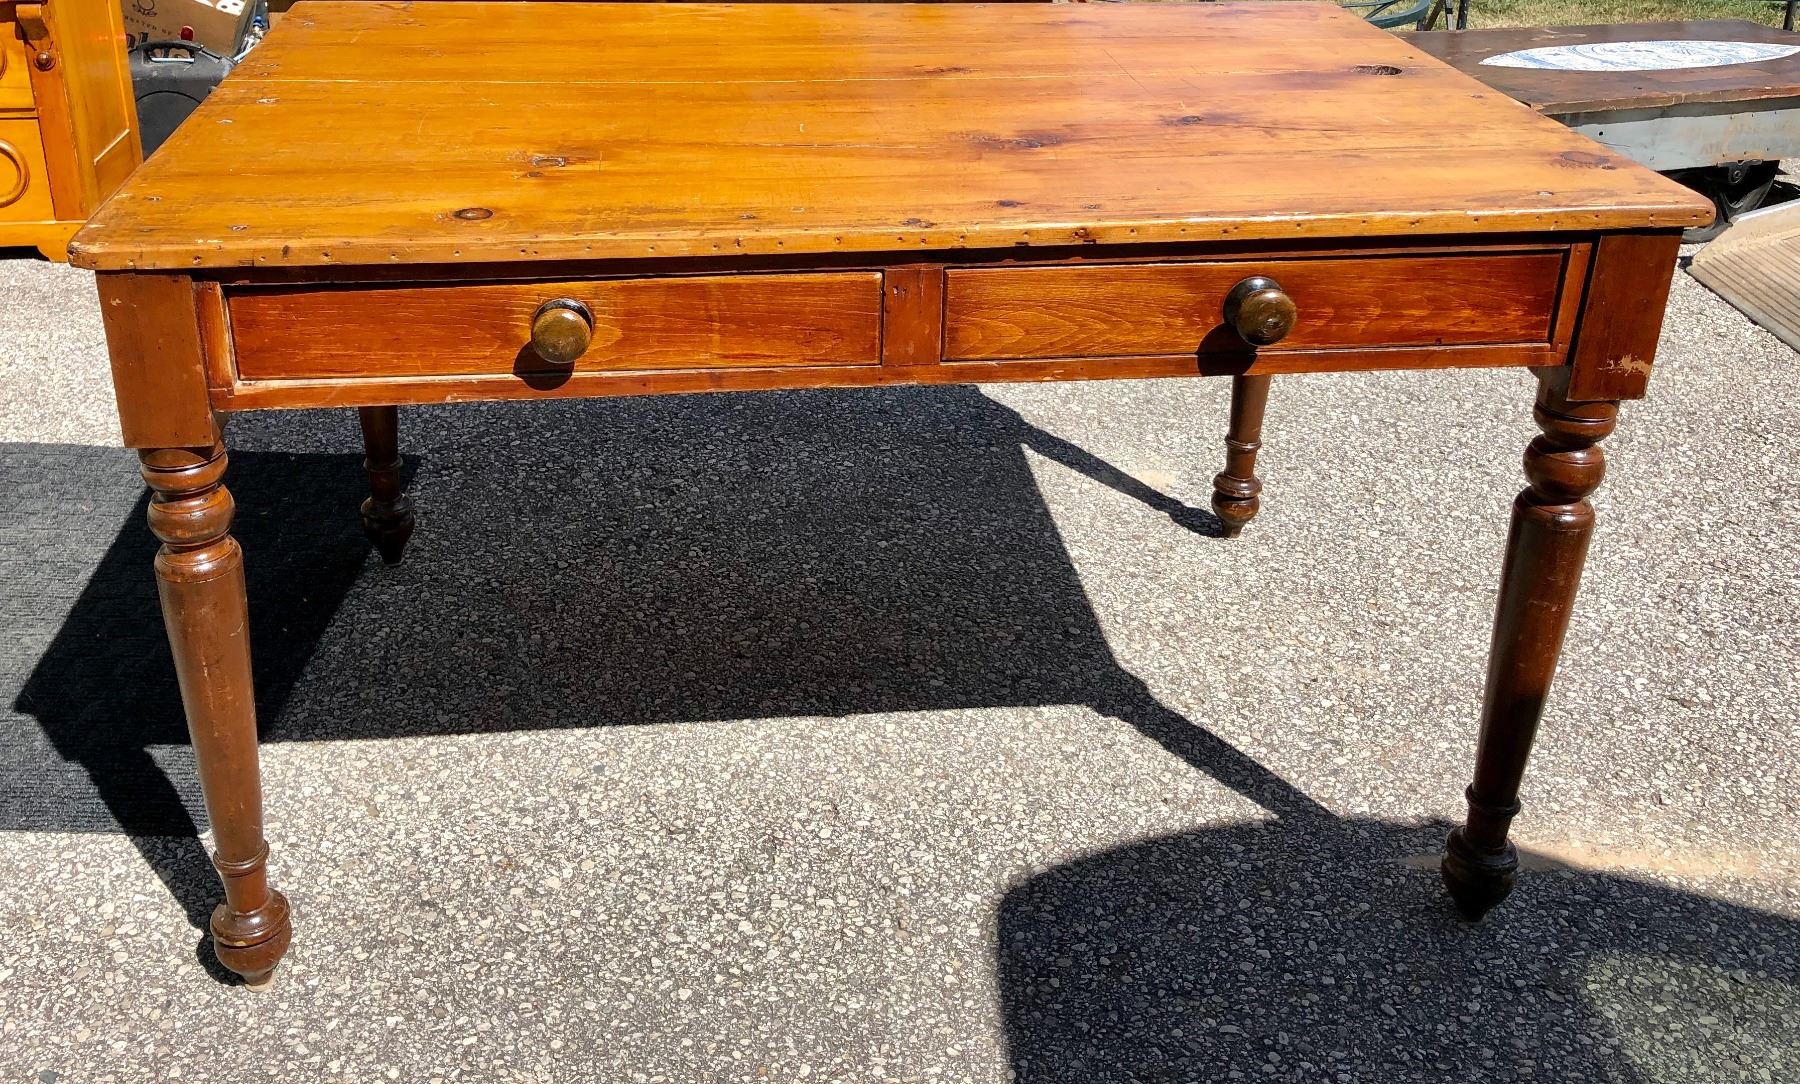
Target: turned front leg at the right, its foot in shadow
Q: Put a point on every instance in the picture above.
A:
(1545, 550)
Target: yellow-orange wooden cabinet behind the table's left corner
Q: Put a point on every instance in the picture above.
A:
(67, 118)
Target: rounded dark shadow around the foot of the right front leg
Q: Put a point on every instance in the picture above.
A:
(1315, 950)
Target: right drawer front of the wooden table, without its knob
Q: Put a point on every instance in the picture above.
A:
(1345, 303)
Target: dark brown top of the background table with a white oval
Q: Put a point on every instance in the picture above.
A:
(1576, 93)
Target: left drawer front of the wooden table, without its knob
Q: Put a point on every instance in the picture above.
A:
(483, 329)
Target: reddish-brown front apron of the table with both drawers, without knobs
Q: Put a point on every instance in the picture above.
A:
(321, 345)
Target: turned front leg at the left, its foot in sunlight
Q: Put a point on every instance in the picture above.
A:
(201, 581)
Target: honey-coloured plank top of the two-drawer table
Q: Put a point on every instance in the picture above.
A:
(402, 134)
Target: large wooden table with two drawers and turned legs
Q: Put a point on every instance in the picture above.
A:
(438, 203)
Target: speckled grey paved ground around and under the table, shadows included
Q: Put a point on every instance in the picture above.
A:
(913, 736)
